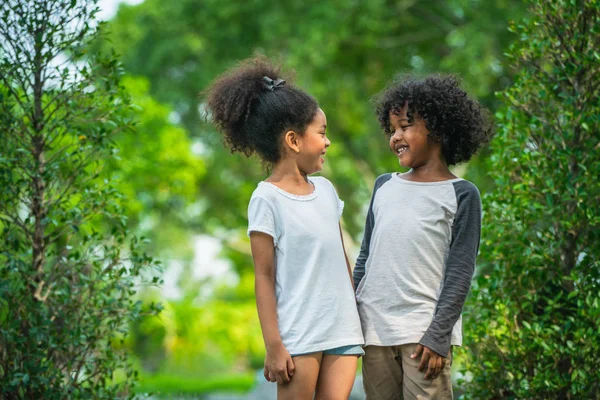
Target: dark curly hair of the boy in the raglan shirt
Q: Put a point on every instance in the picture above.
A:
(451, 117)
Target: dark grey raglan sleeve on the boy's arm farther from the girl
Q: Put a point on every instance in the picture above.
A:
(460, 266)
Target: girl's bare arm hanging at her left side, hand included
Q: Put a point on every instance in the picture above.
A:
(278, 362)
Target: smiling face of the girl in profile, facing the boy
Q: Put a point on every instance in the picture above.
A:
(313, 145)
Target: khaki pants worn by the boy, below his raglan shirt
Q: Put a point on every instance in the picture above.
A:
(390, 374)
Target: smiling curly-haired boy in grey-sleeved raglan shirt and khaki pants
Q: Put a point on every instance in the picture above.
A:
(421, 239)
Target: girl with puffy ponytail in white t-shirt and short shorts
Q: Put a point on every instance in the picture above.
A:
(303, 284)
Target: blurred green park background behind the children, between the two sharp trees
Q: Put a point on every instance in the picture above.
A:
(189, 195)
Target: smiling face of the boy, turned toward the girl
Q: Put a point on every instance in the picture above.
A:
(410, 140)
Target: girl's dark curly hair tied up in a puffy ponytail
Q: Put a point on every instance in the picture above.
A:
(253, 115)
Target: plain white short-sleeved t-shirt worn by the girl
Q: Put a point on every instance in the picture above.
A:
(316, 308)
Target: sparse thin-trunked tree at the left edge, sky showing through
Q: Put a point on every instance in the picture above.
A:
(68, 272)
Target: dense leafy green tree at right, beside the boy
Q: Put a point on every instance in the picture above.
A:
(534, 315)
